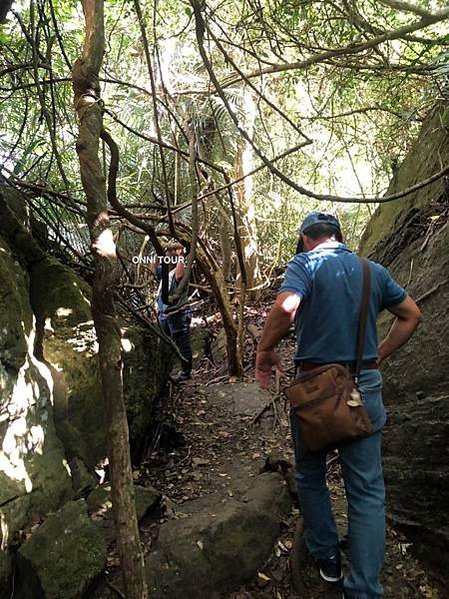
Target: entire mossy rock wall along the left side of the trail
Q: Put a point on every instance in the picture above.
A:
(52, 430)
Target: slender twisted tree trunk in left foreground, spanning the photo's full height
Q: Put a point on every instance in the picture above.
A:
(89, 111)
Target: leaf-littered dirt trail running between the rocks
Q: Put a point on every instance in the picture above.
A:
(216, 441)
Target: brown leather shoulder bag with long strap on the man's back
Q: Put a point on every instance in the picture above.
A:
(327, 400)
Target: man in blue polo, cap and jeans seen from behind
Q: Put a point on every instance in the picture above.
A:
(321, 293)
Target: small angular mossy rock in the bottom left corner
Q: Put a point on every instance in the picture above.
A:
(62, 557)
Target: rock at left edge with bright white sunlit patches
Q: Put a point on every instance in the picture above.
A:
(34, 478)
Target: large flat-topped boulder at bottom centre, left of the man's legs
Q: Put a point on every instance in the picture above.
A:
(217, 545)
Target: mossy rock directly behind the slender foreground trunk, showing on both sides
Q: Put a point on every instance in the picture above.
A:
(79, 410)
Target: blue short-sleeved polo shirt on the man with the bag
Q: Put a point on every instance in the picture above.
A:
(329, 281)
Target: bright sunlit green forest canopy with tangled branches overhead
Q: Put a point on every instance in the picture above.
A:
(316, 99)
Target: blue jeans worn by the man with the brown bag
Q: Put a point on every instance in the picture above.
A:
(365, 492)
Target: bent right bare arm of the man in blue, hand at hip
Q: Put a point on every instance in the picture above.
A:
(408, 317)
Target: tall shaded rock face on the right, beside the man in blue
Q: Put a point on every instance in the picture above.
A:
(411, 238)
